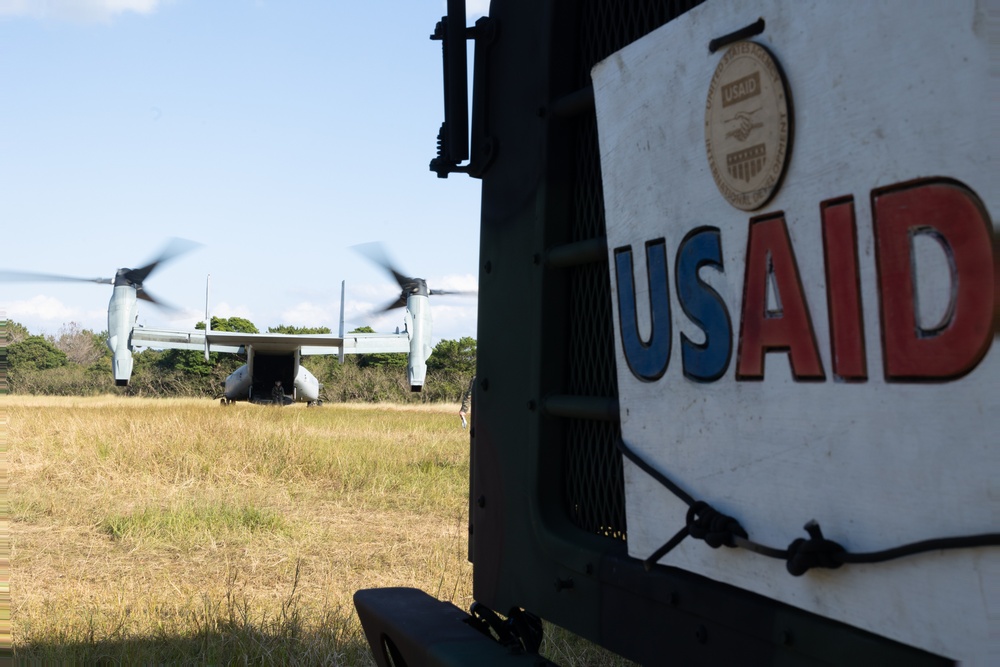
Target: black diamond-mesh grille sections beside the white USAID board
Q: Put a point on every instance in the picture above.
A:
(594, 487)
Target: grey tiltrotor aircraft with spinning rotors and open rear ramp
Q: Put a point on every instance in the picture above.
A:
(271, 357)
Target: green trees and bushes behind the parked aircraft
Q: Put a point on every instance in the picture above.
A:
(77, 362)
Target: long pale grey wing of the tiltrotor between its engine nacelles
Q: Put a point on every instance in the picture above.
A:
(237, 342)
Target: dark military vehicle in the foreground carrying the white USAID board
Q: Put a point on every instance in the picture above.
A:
(746, 411)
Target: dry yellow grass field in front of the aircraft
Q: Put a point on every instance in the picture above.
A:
(176, 531)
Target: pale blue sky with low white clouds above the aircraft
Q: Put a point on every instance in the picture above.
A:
(276, 134)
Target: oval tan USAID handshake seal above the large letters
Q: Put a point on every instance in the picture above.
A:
(747, 126)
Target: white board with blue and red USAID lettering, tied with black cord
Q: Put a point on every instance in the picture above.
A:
(800, 240)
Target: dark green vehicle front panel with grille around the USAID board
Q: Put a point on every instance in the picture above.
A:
(547, 520)
